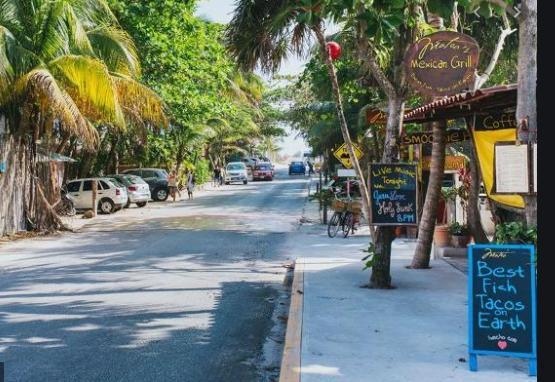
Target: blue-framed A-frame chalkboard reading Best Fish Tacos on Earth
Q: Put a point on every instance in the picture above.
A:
(502, 302)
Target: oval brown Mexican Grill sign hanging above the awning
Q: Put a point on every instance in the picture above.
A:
(442, 63)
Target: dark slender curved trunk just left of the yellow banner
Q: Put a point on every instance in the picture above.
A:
(472, 211)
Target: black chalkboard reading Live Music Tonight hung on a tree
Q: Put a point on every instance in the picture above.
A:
(393, 194)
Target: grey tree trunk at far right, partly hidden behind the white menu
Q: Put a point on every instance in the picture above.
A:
(526, 114)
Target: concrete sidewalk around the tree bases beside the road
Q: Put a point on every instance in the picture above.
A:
(416, 332)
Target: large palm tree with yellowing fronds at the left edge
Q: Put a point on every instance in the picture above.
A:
(64, 66)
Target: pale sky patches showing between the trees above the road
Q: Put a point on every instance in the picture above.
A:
(221, 11)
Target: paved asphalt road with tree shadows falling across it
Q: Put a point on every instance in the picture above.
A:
(184, 291)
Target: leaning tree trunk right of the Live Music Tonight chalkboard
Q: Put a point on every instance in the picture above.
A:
(426, 228)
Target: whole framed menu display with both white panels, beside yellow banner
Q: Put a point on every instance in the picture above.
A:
(514, 168)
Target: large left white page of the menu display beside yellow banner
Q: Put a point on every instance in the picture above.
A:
(511, 168)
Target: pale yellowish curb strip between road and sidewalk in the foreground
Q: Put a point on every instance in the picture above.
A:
(290, 370)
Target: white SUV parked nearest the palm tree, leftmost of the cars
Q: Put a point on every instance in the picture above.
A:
(110, 197)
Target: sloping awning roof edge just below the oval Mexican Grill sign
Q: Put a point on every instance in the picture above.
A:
(460, 105)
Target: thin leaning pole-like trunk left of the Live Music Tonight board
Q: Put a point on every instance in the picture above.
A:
(343, 121)
